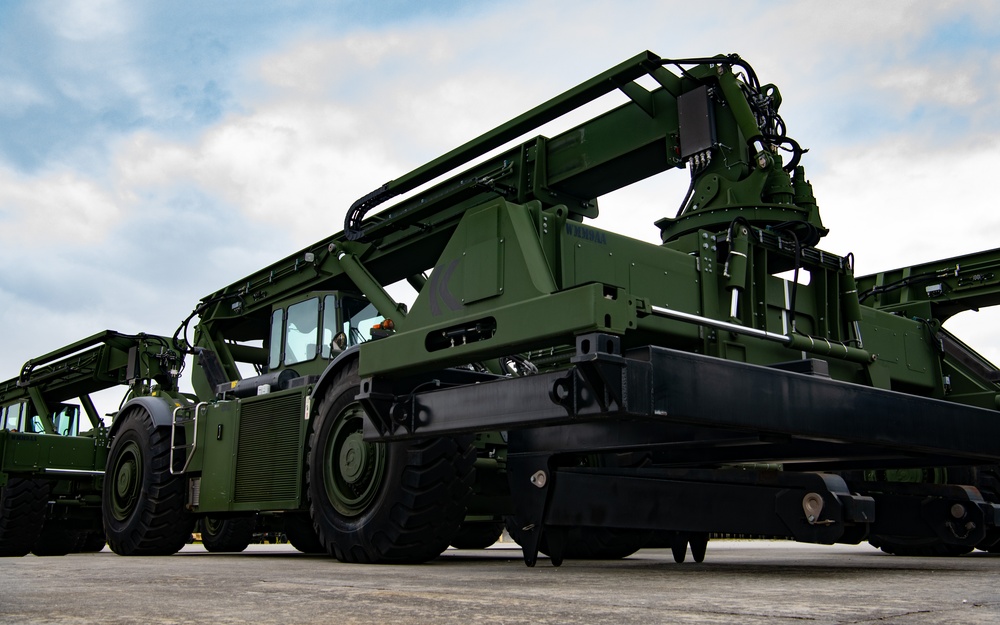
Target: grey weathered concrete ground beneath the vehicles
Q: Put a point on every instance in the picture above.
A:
(744, 582)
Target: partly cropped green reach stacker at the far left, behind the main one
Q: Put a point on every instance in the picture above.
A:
(50, 472)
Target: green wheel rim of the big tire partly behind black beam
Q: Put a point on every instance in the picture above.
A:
(353, 468)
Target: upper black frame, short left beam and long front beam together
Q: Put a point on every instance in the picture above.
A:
(627, 397)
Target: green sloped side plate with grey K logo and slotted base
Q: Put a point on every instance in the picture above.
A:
(526, 311)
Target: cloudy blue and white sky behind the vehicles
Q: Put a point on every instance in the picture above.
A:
(153, 152)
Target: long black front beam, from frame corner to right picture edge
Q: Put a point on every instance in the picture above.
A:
(690, 388)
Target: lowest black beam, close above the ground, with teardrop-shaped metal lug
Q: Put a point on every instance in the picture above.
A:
(726, 501)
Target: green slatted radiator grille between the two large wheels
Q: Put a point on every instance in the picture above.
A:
(267, 455)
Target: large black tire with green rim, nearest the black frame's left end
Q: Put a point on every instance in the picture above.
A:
(395, 502)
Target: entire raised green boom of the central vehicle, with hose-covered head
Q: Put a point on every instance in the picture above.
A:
(723, 125)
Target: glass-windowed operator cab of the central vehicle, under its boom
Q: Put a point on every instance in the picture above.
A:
(317, 327)
